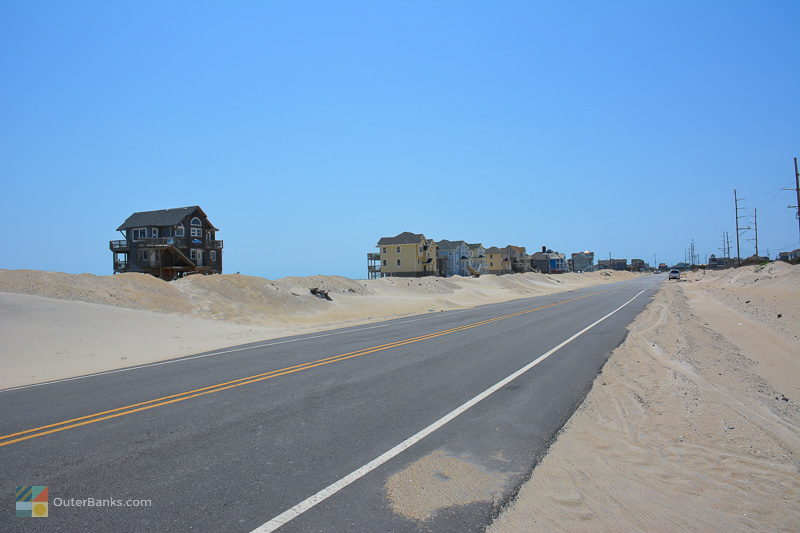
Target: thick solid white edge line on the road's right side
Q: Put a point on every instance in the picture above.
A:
(335, 487)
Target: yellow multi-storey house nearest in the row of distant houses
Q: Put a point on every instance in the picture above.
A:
(405, 255)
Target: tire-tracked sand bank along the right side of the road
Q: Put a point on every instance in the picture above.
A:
(693, 424)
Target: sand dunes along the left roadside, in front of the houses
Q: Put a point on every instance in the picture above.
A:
(57, 325)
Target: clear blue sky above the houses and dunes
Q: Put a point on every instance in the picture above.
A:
(307, 130)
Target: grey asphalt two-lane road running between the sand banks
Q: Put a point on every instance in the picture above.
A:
(229, 441)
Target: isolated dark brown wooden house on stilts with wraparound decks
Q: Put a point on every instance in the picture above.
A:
(168, 243)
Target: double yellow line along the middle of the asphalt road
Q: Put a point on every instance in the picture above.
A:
(19, 436)
